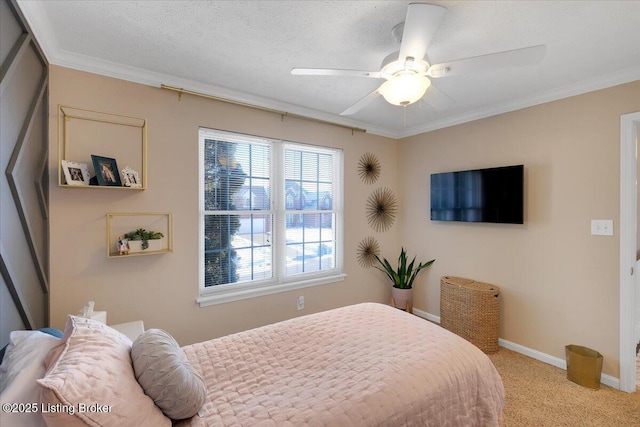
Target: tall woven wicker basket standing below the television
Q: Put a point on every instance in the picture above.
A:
(472, 310)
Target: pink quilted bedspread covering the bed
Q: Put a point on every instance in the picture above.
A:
(362, 365)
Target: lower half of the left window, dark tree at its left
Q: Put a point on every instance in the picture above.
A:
(237, 248)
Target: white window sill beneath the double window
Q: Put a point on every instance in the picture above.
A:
(240, 294)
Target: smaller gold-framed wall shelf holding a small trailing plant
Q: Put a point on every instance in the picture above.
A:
(118, 224)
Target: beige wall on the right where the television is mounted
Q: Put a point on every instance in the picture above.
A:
(559, 284)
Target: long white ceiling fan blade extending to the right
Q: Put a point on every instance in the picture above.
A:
(507, 59)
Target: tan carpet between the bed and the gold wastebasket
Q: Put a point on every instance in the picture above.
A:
(538, 394)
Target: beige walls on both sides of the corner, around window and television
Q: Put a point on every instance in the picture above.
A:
(559, 284)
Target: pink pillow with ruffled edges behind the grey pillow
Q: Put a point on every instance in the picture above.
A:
(90, 380)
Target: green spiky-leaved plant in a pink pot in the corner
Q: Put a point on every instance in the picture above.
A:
(402, 278)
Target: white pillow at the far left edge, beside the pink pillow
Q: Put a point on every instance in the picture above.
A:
(22, 365)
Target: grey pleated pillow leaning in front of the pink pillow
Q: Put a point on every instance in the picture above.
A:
(166, 375)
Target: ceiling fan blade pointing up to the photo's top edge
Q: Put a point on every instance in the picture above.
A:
(419, 27)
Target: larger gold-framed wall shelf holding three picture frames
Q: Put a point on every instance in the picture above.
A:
(82, 133)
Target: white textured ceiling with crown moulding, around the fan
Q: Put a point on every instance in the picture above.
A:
(244, 50)
